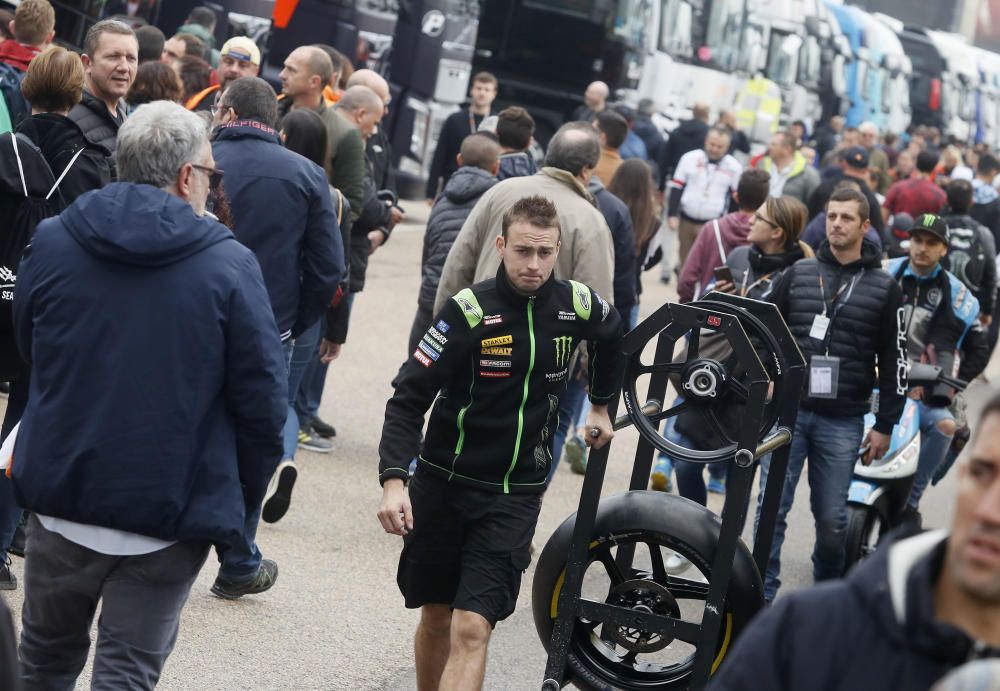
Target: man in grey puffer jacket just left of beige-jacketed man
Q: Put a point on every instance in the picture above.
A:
(478, 163)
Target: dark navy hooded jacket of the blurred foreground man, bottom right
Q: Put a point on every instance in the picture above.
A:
(874, 630)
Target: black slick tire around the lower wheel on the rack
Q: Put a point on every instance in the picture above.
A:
(671, 522)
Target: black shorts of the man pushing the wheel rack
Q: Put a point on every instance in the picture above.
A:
(468, 547)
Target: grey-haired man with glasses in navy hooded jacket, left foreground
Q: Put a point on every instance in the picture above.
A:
(154, 352)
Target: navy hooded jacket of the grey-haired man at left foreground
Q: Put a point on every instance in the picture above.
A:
(129, 293)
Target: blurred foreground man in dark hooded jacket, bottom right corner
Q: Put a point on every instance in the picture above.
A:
(906, 616)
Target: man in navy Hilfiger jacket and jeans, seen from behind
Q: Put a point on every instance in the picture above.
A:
(282, 211)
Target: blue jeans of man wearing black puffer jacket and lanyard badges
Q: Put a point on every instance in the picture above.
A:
(831, 444)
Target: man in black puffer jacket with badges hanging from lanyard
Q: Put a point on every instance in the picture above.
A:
(844, 312)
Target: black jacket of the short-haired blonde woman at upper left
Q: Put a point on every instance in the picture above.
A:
(60, 139)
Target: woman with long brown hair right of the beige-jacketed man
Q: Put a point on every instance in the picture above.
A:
(633, 184)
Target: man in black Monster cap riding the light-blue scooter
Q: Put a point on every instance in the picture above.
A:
(940, 316)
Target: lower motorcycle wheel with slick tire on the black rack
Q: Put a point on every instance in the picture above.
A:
(664, 530)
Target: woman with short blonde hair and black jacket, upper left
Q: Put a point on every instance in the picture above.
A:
(53, 84)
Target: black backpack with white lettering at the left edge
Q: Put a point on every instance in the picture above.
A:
(23, 210)
